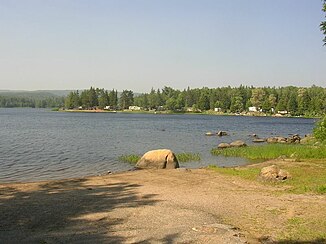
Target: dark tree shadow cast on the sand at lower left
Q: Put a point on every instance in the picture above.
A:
(70, 211)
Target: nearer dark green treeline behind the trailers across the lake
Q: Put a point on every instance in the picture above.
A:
(296, 100)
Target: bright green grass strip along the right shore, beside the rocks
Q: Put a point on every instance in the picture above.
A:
(272, 151)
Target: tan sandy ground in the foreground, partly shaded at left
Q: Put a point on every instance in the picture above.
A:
(158, 206)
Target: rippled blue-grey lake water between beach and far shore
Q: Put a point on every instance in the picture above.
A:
(38, 144)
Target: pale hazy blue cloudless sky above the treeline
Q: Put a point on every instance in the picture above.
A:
(139, 44)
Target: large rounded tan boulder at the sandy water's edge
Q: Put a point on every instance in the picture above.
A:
(158, 159)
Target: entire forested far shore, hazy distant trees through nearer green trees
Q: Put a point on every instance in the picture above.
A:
(290, 100)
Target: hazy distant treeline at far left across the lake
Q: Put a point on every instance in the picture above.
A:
(12, 101)
